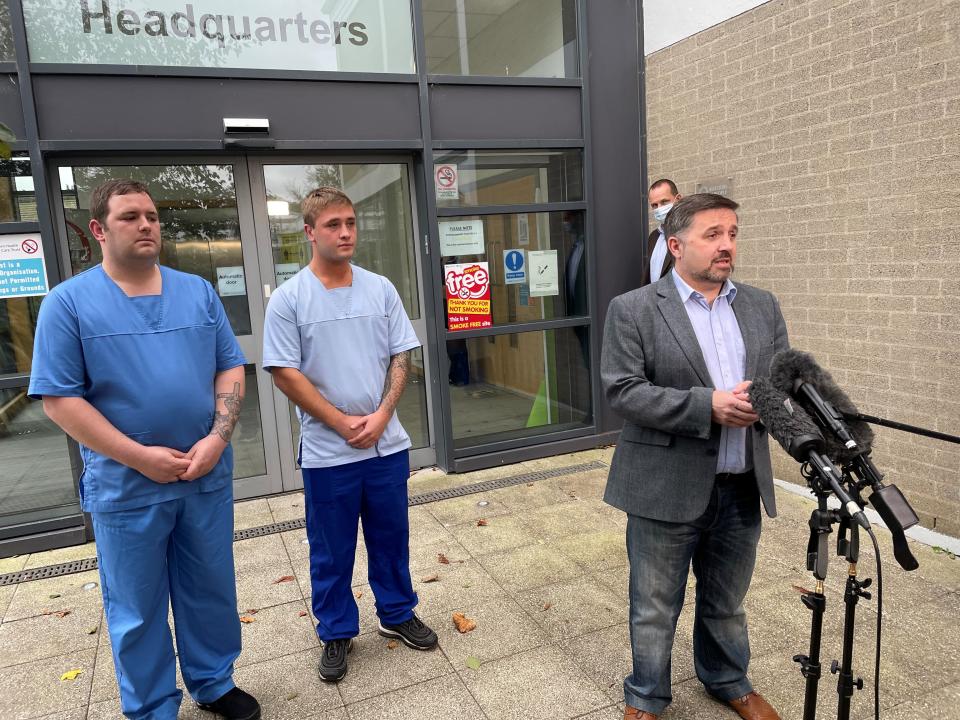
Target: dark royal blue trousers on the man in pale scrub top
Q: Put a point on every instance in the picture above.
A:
(374, 491)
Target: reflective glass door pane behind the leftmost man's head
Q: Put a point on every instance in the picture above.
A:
(199, 221)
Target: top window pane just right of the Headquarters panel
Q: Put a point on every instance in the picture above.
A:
(510, 38)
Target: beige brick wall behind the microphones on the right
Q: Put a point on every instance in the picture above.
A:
(839, 123)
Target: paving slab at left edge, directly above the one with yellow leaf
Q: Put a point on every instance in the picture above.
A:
(47, 636)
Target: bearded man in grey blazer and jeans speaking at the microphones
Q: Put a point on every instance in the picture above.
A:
(691, 466)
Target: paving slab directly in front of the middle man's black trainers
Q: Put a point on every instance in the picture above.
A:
(375, 669)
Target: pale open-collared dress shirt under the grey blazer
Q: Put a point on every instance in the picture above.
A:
(725, 354)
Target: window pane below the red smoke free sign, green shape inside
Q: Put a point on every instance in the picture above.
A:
(519, 385)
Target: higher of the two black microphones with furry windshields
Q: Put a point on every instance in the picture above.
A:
(796, 373)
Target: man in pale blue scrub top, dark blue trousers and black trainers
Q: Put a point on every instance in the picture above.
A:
(338, 342)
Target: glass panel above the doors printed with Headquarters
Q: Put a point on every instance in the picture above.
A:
(366, 36)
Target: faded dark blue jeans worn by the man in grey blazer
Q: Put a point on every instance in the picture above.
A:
(722, 546)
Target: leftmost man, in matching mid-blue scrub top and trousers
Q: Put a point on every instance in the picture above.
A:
(138, 364)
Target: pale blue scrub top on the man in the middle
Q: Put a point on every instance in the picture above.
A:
(342, 341)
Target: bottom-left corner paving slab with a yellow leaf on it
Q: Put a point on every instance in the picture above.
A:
(35, 689)
